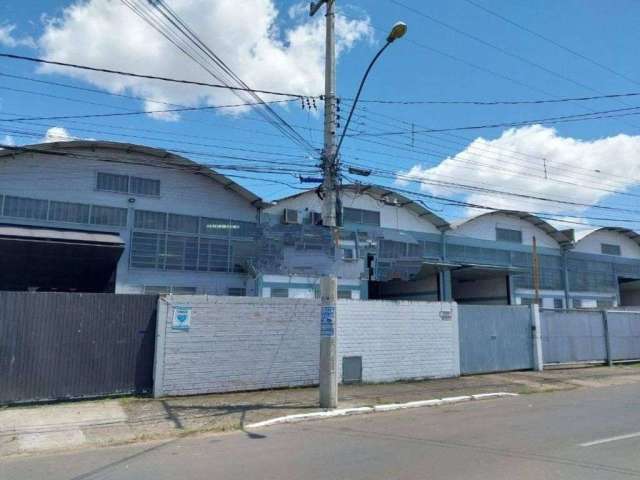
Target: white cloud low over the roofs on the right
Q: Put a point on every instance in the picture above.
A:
(513, 162)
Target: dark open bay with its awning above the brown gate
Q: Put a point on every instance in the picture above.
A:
(46, 259)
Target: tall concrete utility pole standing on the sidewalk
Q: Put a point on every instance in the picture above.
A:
(329, 283)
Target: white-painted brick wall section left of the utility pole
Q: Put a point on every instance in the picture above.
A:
(236, 344)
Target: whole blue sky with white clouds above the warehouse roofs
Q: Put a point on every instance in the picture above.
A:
(463, 53)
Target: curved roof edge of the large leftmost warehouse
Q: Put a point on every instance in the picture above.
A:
(163, 159)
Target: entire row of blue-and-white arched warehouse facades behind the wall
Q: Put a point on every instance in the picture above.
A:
(104, 216)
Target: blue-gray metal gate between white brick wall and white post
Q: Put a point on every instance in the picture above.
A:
(495, 338)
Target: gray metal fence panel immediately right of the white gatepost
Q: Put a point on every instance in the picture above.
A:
(573, 336)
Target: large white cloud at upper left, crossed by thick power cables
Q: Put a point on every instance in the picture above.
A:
(244, 34)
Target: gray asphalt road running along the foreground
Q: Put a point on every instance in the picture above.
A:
(581, 434)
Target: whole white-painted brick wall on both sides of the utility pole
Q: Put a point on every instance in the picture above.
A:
(236, 344)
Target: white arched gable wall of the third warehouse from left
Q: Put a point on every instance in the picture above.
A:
(484, 228)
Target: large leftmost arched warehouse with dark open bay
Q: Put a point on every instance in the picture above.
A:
(112, 217)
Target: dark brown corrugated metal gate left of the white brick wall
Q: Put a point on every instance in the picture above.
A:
(73, 345)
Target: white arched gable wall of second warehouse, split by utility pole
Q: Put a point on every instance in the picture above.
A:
(395, 217)
